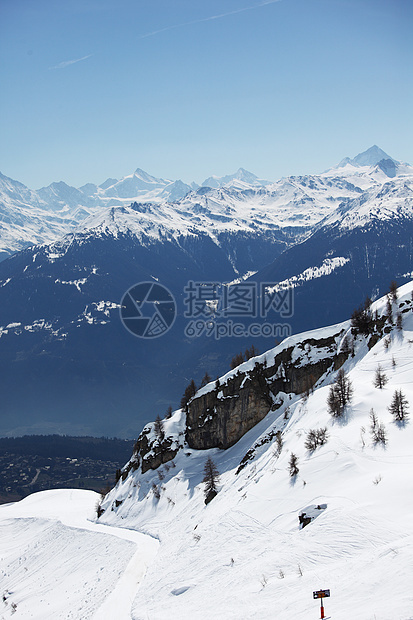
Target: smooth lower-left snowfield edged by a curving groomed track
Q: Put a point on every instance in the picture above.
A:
(56, 563)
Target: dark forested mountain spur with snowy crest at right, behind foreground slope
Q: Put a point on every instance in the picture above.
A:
(354, 252)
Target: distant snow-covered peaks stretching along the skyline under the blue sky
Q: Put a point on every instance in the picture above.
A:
(232, 202)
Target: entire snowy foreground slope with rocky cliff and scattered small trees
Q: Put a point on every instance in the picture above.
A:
(270, 537)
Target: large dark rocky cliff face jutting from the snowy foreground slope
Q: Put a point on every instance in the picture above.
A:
(219, 416)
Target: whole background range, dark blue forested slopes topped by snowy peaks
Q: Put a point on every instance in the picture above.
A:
(331, 238)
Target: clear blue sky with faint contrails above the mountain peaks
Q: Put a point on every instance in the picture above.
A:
(189, 88)
